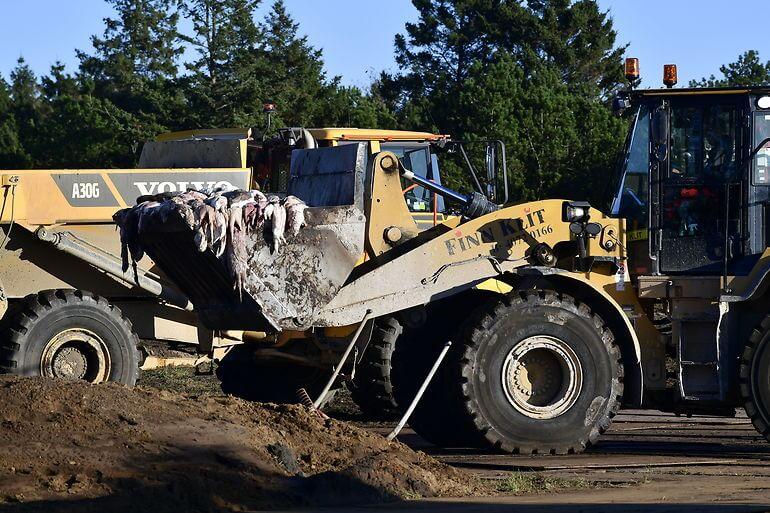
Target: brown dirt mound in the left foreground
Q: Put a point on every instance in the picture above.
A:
(68, 446)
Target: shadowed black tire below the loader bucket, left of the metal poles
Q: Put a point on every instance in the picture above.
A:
(268, 382)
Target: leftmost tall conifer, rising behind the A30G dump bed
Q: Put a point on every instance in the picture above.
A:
(125, 90)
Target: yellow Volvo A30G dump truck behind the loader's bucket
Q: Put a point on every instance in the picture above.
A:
(69, 309)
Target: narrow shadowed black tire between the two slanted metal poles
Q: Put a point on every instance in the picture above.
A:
(372, 388)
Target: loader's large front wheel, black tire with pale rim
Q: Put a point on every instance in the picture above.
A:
(539, 373)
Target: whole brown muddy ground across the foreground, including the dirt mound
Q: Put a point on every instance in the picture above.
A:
(78, 448)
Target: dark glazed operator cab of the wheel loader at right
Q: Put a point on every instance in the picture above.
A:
(694, 181)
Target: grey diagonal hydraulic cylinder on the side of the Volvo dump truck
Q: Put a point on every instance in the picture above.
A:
(97, 257)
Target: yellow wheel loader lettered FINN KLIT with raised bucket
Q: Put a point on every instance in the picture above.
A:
(659, 302)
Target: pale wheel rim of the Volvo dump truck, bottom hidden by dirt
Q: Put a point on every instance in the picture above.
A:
(76, 354)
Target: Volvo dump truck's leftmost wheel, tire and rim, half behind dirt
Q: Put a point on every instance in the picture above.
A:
(70, 334)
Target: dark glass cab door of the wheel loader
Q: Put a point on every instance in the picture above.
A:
(700, 186)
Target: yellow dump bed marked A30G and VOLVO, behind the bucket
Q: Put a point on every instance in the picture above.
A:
(82, 203)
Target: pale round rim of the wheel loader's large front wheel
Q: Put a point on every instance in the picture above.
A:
(542, 377)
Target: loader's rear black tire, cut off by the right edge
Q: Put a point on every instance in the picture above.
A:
(753, 378)
